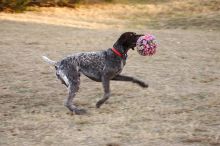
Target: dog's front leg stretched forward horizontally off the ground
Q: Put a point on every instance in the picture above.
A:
(130, 79)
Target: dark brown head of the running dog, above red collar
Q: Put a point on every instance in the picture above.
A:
(128, 40)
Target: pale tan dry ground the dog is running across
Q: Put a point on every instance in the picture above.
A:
(181, 107)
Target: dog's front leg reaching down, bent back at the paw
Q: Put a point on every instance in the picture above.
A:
(105, 83)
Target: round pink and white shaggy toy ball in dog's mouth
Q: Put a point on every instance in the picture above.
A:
(146, 45)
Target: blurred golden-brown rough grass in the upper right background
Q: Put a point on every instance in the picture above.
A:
(176, 14)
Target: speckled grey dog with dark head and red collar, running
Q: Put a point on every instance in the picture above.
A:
(101, 66)
